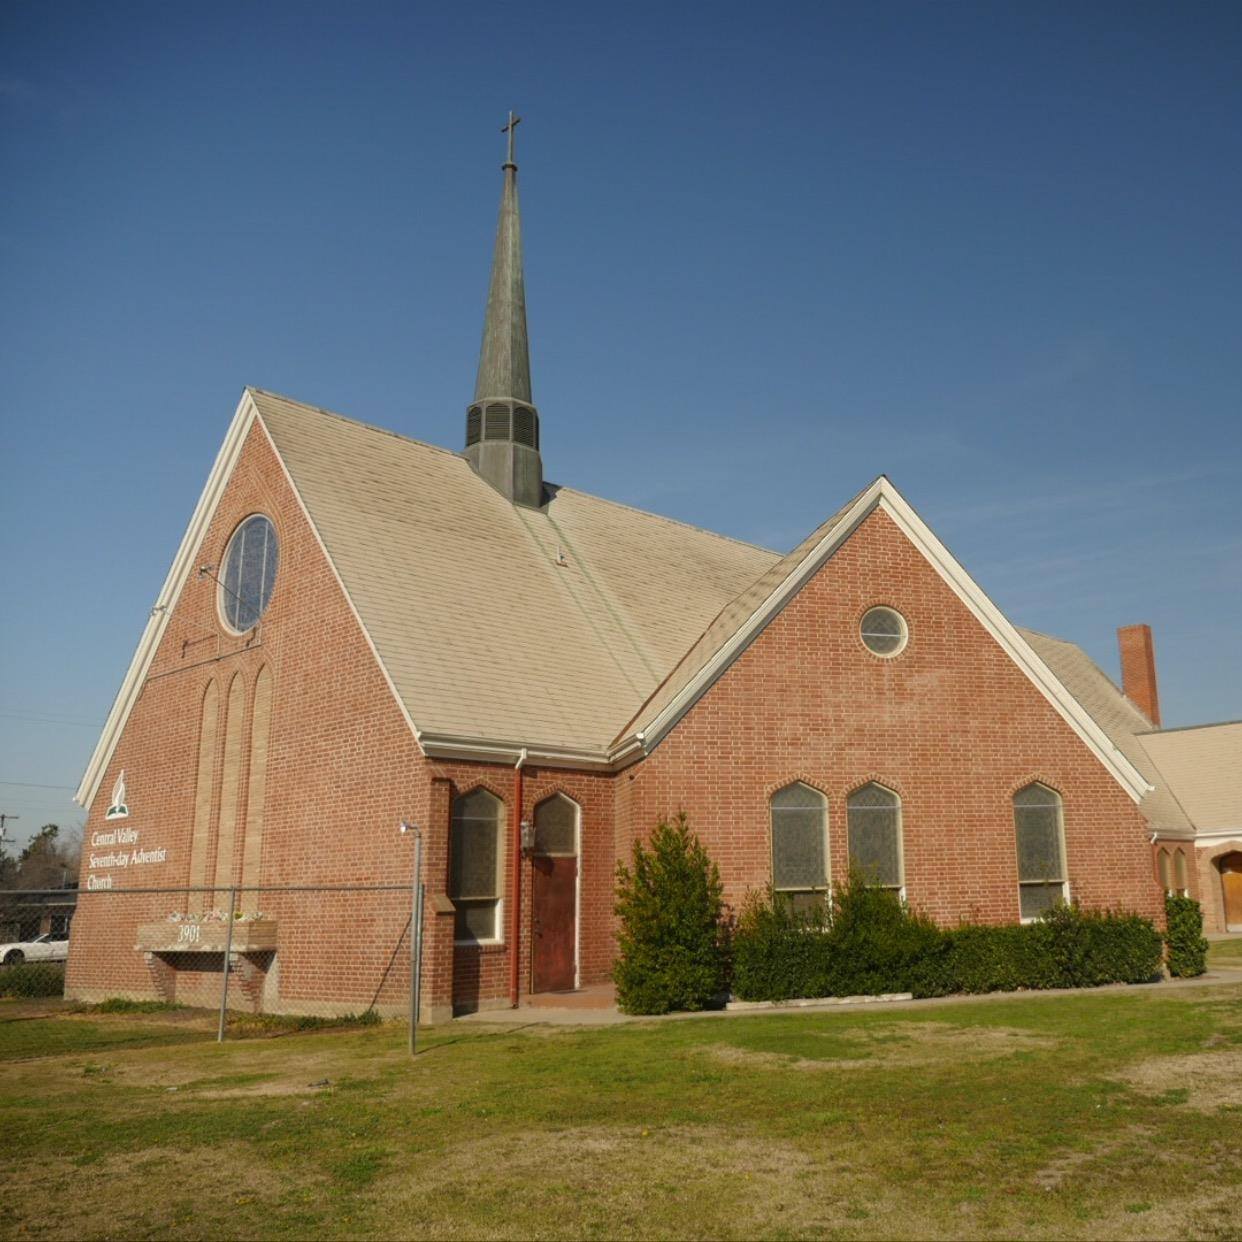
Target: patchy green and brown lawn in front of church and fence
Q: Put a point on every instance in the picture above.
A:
(1110, 1116)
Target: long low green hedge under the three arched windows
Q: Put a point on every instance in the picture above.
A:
(866, 942)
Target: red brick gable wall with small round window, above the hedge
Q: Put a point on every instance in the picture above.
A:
(952, 725)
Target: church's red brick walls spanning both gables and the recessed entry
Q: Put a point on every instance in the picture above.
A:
(952, 725)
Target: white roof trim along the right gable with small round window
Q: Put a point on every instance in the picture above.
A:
(884, 495)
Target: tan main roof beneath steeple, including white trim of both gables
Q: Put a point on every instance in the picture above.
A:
(501, 628)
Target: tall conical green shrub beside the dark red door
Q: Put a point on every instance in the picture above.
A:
(673, 938)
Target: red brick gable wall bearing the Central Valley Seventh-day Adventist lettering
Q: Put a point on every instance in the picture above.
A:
(343, 772)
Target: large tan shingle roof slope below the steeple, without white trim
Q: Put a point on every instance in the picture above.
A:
(483, 632)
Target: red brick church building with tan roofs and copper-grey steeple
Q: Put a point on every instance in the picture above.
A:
(361, 629)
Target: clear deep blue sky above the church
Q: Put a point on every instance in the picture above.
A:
(990, 250)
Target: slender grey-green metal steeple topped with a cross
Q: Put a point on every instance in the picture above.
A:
(502, 425)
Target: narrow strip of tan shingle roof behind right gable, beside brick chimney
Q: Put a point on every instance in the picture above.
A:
(1120, 718)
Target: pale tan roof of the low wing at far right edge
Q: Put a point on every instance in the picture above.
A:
(1204, 769)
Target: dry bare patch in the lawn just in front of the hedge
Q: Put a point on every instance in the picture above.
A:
(897, 1044)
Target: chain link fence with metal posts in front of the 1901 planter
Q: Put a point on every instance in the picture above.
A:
(206, 963)
